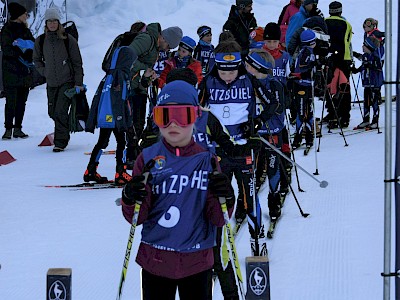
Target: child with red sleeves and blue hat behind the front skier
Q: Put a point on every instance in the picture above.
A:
(182, 59)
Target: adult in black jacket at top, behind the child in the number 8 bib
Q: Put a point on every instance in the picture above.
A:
(241, 22)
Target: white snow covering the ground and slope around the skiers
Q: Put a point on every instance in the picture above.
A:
(335, 253)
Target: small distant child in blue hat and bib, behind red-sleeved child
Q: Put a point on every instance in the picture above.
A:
(204, 50)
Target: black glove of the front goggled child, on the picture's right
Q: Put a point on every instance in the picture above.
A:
(220, 185)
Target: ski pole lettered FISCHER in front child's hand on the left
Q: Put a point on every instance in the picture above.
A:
(146, 173)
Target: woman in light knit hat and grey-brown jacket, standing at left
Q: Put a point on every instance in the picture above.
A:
(63, 71)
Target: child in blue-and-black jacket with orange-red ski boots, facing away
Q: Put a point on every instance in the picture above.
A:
(112, 114)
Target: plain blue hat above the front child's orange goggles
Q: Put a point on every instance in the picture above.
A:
(179, 92)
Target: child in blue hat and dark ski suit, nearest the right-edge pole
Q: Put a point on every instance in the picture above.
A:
(372, 80)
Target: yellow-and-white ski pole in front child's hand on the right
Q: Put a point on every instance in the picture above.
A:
(231, 241)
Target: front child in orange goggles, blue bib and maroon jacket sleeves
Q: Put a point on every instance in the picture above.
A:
(176, 253)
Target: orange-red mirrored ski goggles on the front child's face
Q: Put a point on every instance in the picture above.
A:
(183, 115)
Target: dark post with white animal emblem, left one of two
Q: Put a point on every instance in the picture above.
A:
(59, 284)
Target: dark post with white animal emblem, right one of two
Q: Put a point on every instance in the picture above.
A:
(257, 273)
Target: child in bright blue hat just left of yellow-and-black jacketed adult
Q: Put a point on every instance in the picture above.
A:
(303, 93)
